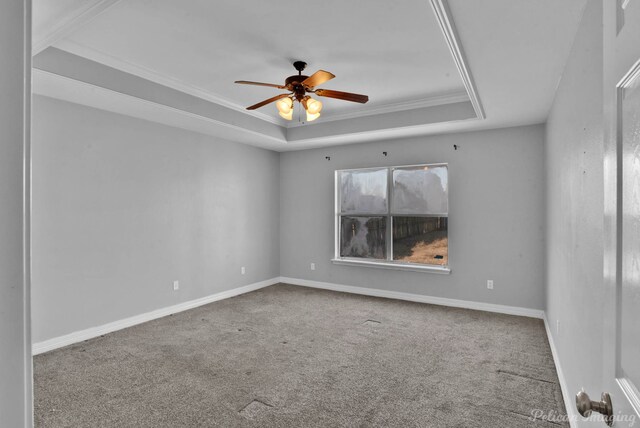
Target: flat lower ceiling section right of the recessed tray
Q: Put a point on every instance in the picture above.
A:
(517, 50)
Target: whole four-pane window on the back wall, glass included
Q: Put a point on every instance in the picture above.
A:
(393, 217)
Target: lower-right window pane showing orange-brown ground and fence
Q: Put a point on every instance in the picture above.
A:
(421, 240)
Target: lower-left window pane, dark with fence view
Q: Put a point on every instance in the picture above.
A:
(363, 237)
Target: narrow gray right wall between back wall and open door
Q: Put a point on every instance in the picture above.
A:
(575, 204)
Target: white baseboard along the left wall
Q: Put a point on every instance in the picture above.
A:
(90, 333)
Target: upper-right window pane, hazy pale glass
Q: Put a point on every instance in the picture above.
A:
(420, 190)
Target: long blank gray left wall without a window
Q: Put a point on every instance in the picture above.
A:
(122, 207)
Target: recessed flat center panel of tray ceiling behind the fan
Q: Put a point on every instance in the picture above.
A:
(208, 45)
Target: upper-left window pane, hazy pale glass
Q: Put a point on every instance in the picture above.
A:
(363, 192)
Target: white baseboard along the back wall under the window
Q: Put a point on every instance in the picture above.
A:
(442, 301)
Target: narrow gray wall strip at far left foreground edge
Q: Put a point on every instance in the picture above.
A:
(15, 350)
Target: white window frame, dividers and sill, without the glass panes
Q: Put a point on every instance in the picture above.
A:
(388, 263)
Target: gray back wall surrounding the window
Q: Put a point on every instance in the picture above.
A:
(496, 215)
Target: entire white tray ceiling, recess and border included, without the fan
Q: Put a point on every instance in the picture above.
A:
(398, 53)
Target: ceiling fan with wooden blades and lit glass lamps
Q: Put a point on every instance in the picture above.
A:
(299, 86)
